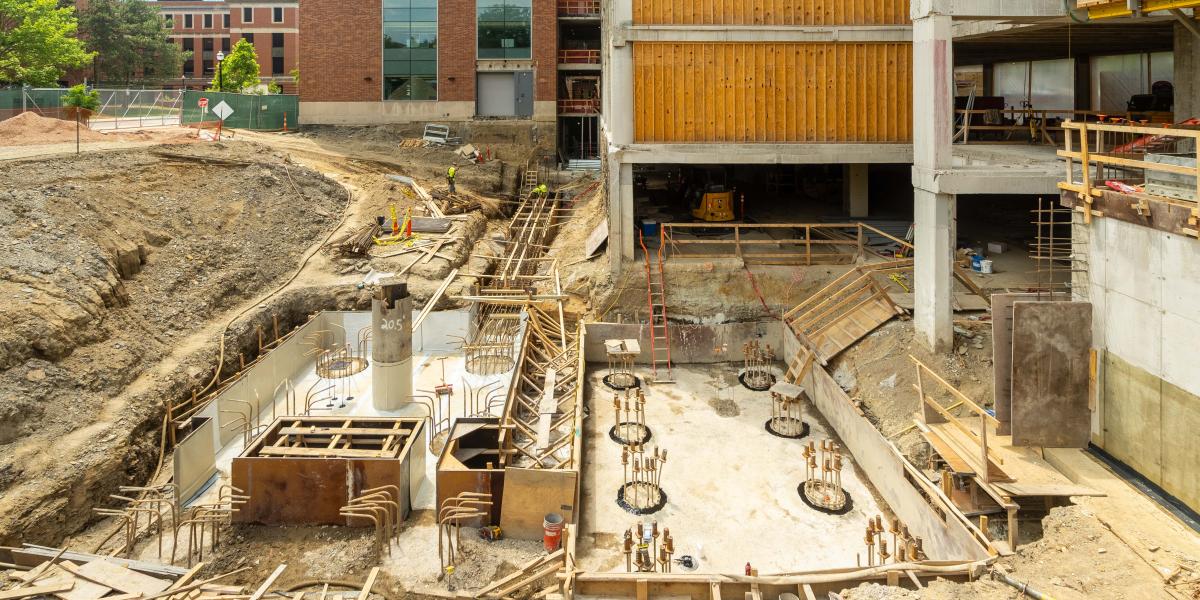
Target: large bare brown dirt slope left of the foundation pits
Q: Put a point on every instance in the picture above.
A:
(109, 265)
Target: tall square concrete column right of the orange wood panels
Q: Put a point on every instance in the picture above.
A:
(932, 147)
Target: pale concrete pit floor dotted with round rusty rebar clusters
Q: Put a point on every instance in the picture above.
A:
(730, 485)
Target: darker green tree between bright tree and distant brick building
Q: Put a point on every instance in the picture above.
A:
(130, 43)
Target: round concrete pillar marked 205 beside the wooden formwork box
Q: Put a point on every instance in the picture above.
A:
(392, 347)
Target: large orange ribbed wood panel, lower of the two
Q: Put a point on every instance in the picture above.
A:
(797, 93)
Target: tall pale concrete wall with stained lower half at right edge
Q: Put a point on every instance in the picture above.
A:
(1143, 286)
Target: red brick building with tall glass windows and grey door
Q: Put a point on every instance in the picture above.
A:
(447, 61)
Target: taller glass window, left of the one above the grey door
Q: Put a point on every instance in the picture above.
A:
(411, 50)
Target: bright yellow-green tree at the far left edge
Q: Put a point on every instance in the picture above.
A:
(38, 43)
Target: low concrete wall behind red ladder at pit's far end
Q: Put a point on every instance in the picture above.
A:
(689, 344)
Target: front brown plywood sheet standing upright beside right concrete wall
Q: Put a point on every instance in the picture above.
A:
(1052, 343)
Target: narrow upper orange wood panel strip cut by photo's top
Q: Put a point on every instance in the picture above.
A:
(771, 13)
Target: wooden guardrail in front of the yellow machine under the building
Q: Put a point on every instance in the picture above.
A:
(833, 243)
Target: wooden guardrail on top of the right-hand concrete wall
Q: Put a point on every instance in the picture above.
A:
(1117, 153)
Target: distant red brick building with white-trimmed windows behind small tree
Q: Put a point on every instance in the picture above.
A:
(207, 28)
